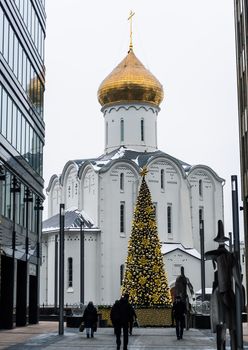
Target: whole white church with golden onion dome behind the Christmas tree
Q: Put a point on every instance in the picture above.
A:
(100, 194)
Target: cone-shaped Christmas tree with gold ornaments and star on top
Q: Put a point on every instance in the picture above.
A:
(145, 279)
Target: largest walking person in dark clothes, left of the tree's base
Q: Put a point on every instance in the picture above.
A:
(120, 315)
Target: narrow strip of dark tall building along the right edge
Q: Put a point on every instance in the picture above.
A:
(241, 29)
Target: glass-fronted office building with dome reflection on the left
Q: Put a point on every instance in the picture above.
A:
(22, 131)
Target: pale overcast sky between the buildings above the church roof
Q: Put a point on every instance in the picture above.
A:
(188, 45)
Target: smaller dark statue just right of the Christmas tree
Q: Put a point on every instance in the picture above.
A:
(182, 286)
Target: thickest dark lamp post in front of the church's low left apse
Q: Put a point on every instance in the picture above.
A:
(61, 267)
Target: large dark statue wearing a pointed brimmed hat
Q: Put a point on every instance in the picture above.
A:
(222, 303)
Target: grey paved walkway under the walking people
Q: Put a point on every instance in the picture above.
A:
(45, 336)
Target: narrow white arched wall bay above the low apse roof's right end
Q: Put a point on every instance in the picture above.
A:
(89, 193)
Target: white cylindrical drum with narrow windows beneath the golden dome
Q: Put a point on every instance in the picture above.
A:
(131, 116)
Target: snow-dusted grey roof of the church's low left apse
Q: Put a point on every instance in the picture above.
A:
(73, 219)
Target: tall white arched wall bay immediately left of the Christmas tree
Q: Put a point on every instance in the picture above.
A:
(113, 241)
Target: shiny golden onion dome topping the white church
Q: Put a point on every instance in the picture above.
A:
(130, 81)
